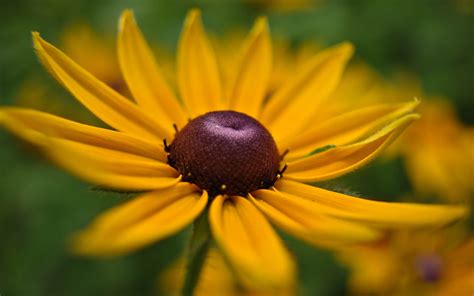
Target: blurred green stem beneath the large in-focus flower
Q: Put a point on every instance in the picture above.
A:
(197, 252)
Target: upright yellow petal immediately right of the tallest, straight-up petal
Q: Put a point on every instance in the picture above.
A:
(253, 73)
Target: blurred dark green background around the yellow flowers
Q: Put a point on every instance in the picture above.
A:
(41, 206)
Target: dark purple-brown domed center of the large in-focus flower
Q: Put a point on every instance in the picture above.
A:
(225, 152)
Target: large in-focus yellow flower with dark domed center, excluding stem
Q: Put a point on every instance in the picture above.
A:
(225, 149)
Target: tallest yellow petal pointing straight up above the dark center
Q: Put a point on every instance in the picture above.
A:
(198, 76)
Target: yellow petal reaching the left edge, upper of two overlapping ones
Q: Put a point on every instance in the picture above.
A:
(24, 121)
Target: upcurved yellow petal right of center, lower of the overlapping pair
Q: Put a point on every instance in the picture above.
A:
(344, 159)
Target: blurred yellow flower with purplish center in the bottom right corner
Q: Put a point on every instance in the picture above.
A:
(413, 263)
